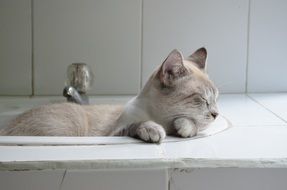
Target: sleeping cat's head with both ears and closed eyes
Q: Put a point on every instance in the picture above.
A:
(181, 88)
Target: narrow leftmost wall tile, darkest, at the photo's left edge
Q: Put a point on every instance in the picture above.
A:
(15, 47)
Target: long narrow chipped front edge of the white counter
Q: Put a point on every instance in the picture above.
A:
(144, 163)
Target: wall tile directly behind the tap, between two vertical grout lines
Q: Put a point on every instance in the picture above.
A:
(102, 33)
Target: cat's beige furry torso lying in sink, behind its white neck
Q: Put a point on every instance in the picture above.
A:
(66, 119)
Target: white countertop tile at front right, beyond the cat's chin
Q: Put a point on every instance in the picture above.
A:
(235, 143)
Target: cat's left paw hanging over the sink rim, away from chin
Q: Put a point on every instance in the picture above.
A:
(150, 131)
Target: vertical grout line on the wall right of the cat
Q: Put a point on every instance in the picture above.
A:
(247, 47)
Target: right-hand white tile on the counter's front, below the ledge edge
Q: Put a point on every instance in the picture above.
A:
(228, 178)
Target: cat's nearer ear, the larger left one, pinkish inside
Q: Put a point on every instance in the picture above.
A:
(172, 68)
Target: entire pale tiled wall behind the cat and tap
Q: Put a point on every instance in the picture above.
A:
(125, 40)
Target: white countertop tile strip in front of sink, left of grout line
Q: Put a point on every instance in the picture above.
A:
(68, 153)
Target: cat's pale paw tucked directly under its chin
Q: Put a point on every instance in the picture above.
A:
(185, 127)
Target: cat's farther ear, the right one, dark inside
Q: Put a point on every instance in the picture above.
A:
(199, 57)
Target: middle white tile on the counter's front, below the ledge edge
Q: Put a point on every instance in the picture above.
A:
(140, 179)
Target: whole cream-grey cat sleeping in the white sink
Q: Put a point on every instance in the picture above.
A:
(178, 99)
